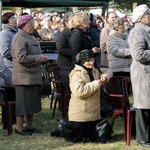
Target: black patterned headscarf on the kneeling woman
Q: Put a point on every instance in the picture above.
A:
(83, 56)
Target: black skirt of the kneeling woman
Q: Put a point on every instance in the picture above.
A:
(79, 131)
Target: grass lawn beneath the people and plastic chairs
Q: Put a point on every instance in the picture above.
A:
(44, 141)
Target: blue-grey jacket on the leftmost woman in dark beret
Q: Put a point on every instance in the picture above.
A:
(6, 36)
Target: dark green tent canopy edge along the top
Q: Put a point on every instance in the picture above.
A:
(54, 3)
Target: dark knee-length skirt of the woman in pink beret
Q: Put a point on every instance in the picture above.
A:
(28, 100)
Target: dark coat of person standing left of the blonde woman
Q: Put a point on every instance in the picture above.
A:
(63, 48)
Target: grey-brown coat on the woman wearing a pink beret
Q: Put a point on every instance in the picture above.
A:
(27, 59)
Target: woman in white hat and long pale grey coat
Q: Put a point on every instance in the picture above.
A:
(139, 41)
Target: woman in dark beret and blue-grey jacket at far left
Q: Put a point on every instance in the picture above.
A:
(9, 29)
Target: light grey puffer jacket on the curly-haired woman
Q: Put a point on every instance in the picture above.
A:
(118, 52)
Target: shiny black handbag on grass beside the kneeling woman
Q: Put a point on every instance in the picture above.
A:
(103, 130)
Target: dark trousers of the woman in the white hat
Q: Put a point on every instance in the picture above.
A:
(143, 125)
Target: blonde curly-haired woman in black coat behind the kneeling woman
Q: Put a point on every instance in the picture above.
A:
(80, 38)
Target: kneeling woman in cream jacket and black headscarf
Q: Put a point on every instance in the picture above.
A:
(84, 105)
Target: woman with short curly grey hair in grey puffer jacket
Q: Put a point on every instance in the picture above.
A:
(118, 52)
